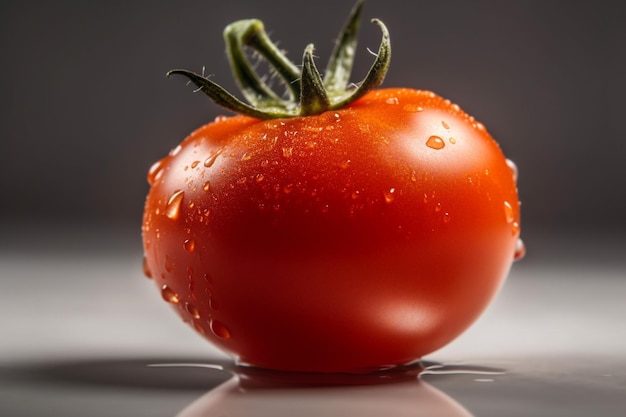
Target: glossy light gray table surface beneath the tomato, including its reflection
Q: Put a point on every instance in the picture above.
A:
(84, 333)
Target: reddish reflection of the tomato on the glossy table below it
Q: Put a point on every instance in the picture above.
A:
(251, 396)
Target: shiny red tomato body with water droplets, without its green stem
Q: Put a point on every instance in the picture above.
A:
(345, 242)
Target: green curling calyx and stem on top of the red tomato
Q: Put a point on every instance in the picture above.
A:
(308, 93)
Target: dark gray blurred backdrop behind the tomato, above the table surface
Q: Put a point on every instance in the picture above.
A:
(86, 107)
